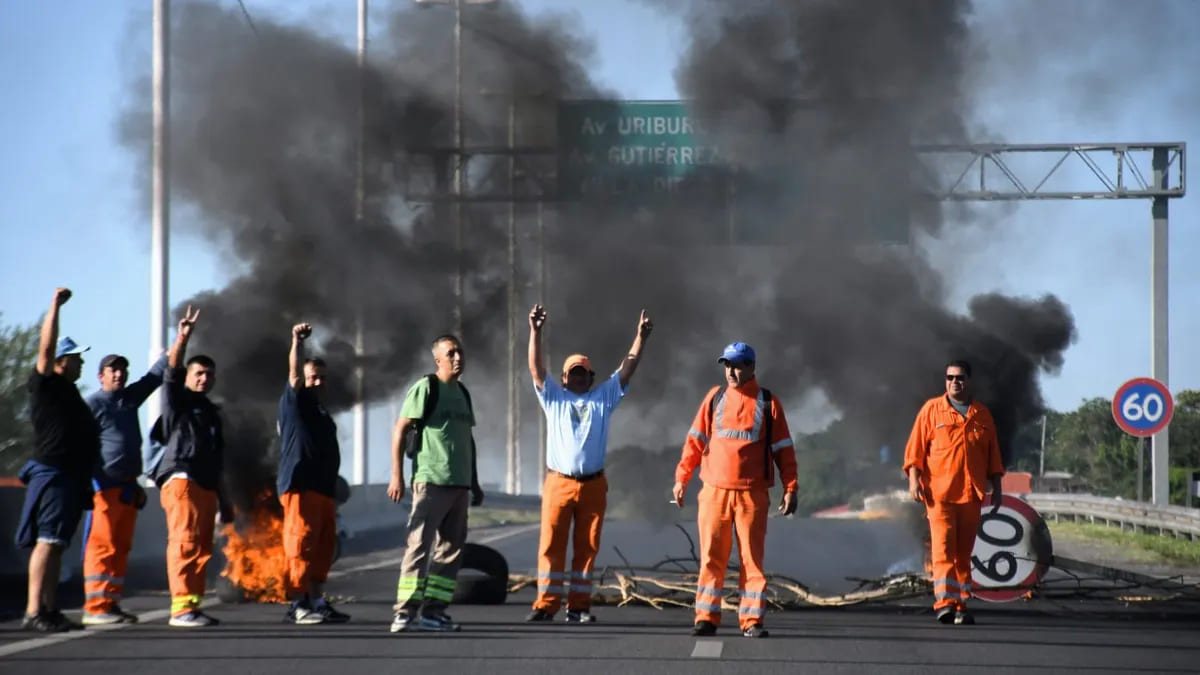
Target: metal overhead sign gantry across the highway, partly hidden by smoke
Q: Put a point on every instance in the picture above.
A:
(970, 172)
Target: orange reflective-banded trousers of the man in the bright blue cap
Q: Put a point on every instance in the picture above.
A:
(722, 513)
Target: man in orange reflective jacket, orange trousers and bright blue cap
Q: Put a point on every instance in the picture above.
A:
(739, 438)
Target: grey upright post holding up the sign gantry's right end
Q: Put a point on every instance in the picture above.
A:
(1159, 327)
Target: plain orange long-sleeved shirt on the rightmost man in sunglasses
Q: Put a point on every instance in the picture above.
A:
(955, 456)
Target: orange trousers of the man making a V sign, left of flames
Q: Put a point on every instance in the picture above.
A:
(191, 513)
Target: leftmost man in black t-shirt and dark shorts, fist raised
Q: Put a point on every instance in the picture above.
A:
(58, 476)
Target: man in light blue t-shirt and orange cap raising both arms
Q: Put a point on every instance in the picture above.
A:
(578, 420)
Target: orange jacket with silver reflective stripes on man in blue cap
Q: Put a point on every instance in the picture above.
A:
(733, 434)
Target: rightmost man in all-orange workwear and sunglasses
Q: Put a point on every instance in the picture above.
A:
(953, 451)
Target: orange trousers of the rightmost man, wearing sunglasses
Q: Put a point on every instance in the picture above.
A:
(953, 530)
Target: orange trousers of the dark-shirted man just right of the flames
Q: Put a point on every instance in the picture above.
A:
(310, 531)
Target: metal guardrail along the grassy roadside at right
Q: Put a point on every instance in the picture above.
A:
(1142, 517)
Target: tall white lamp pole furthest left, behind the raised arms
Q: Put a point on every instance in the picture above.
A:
(160, 208)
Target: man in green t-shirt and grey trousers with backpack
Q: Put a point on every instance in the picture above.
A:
(443, 477)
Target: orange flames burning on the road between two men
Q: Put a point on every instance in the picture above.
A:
(255, 560)
